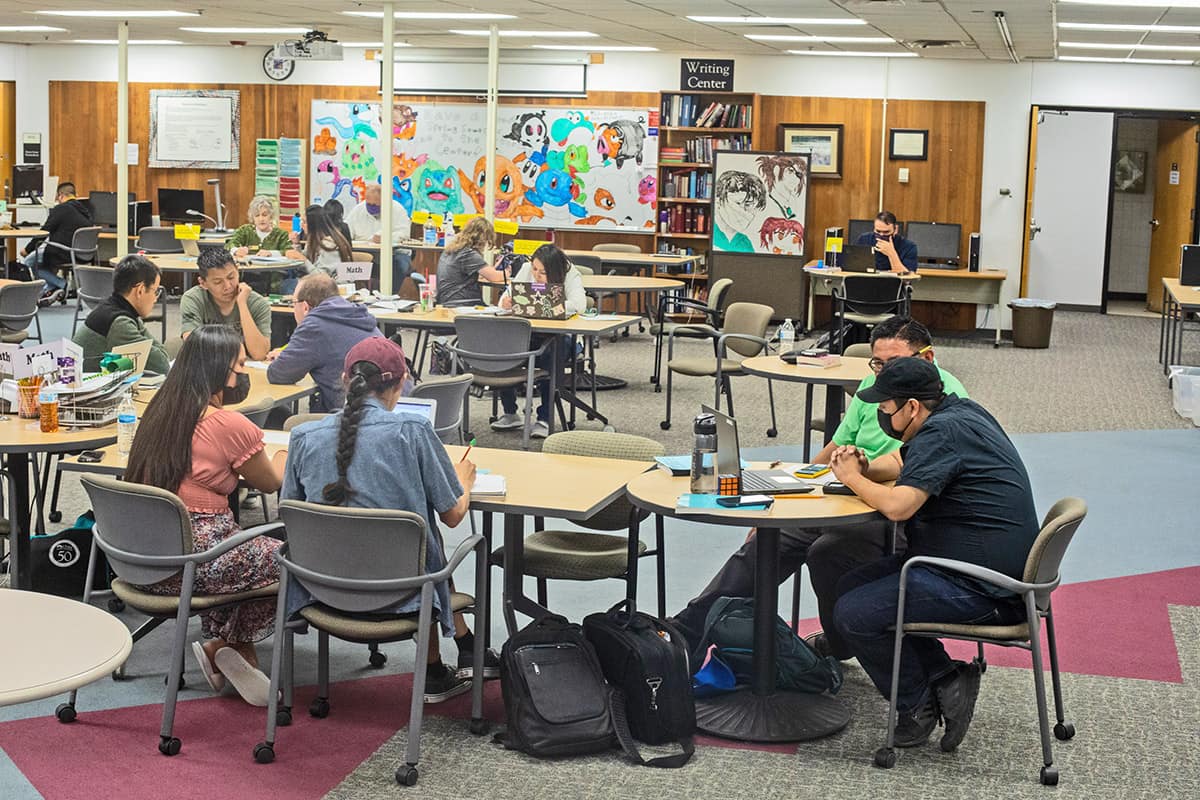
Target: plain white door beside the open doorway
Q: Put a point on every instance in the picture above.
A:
(1070, 216)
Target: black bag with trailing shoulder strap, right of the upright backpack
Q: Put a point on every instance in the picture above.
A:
(646, 663)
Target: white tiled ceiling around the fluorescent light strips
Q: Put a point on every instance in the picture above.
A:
(969, 25)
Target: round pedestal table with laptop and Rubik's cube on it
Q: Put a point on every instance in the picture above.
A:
(763, 713)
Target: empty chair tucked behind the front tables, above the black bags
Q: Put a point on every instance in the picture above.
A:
(577, 556)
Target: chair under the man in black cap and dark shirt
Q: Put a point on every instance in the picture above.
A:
(1041, 579)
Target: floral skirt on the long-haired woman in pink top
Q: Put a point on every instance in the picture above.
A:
(249, 567)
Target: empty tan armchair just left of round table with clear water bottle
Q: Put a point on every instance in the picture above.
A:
(745, 333)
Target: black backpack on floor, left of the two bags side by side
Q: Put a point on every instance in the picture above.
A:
(556, 702)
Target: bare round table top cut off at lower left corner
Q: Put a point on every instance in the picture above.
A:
(55, 646)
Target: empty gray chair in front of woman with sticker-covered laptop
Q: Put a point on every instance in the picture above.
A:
(499, 352)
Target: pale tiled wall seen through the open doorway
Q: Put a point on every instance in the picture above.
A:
(1130, 245)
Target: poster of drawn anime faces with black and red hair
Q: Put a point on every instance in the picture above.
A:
(760, 201)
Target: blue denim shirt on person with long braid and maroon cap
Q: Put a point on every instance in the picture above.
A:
(399, 464)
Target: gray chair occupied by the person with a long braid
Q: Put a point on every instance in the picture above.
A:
(385, 567)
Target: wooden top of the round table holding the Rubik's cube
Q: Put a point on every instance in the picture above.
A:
(658, 491)
